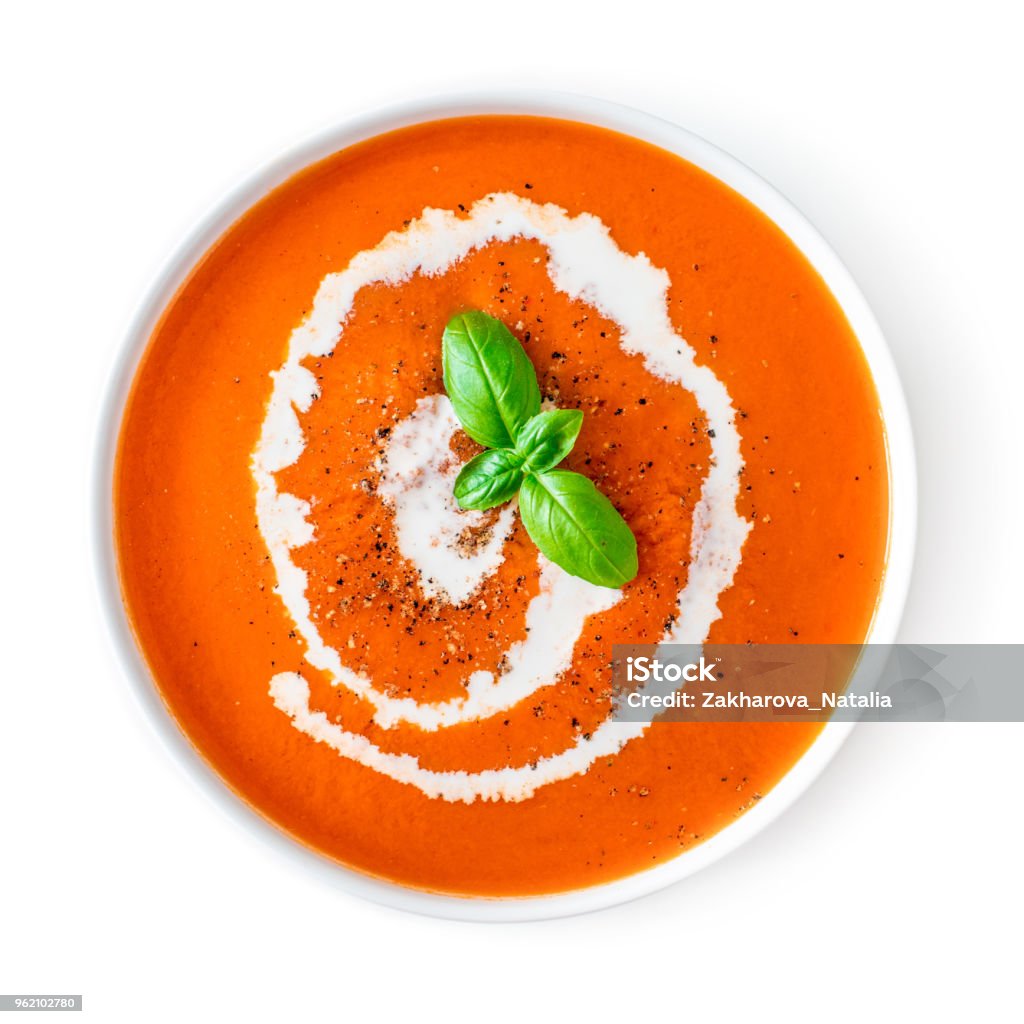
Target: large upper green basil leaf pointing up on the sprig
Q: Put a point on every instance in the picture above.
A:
(490, 379)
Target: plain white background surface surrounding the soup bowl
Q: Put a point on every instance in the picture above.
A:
(890, 890)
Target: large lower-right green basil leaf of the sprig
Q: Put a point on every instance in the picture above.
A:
(578, 528)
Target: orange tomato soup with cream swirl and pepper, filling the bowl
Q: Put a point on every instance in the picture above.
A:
(411, 689)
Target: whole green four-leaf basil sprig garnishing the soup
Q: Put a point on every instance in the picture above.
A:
(494, 391)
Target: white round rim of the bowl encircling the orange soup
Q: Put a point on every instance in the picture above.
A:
(606, 114)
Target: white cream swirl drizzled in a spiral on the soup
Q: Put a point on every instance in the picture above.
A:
(585, 264)
